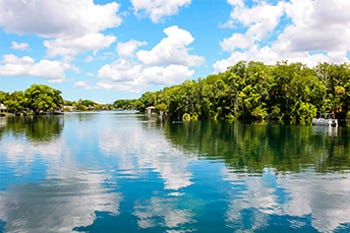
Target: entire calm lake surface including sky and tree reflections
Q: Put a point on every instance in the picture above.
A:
(122, 172)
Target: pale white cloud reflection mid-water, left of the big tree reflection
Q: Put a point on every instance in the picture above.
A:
(144, 148)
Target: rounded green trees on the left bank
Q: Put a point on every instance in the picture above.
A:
(37, 98)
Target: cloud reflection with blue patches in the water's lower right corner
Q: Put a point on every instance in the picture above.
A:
(321, 199)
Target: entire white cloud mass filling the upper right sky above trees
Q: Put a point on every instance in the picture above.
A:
(308, 37)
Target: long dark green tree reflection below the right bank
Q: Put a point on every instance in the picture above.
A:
(251, 148)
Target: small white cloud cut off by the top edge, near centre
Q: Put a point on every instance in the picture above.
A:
(156, 10)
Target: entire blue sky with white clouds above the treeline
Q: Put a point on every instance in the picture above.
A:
(104, 50)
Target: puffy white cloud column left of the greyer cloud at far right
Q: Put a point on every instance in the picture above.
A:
(261, 20)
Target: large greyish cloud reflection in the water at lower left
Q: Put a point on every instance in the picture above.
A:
(67, 197)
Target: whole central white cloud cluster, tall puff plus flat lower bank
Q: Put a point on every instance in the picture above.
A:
(167, 63)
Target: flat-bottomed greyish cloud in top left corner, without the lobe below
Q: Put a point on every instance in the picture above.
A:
(57, 18)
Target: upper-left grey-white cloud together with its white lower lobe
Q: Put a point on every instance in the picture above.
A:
(75, 25)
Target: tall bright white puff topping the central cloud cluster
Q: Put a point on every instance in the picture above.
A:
(171, 50)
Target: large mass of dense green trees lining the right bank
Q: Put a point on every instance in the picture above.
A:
(254, 91)
